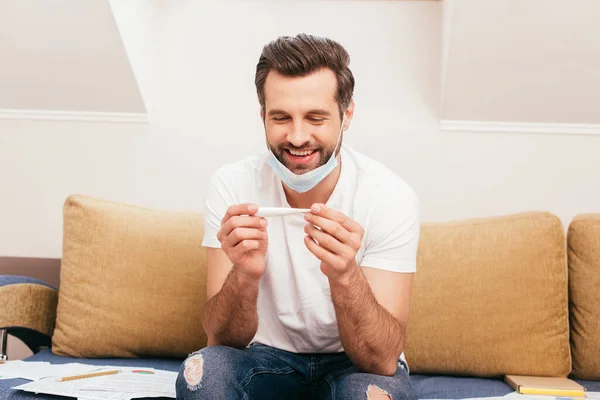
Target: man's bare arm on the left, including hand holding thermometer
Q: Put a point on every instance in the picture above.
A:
(234, 271)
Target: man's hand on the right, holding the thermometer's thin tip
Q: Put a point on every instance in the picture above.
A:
(335, 243)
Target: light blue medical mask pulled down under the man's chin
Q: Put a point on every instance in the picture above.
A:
(305, 182)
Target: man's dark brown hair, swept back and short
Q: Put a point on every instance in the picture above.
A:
(301, 56)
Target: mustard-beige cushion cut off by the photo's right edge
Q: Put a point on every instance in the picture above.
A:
(584, 287)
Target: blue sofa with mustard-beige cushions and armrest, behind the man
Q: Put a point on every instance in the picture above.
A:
(513, 294)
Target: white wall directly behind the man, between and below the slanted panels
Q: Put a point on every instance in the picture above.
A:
(195, 65)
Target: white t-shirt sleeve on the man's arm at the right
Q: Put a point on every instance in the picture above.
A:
(392, 236)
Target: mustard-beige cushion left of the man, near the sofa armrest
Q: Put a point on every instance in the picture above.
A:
(132, 281)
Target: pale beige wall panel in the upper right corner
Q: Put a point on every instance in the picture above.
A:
(523, 61)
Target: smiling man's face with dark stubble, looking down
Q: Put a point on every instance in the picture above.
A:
(302, 119)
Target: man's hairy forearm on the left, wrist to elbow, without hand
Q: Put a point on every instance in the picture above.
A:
(230, 317)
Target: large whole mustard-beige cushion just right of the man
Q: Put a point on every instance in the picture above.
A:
(490, 298)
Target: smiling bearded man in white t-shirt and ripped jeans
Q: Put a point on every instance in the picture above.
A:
(314, 305)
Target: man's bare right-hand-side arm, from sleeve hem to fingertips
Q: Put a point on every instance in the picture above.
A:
(371, 305)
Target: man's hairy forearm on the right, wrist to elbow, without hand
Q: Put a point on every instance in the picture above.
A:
(371, 336)
